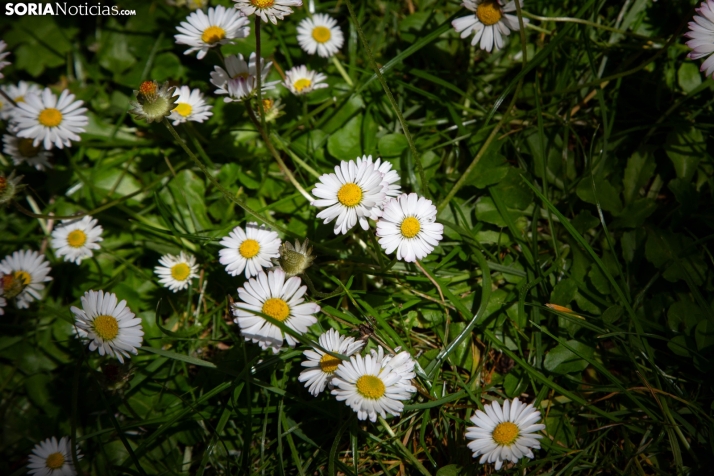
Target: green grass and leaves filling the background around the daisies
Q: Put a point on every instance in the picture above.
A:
(593, 192)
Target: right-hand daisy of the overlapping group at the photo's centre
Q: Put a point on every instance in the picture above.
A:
(407, 225)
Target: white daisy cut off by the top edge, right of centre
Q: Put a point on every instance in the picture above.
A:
(489, 23)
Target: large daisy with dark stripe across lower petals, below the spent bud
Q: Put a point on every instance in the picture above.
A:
(280, 299)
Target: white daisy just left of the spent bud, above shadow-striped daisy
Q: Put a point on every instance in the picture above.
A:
(249, 250)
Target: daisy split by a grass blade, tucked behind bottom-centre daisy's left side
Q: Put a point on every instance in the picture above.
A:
(320, 365)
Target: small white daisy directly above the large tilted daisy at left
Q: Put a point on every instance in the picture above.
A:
(75, 239)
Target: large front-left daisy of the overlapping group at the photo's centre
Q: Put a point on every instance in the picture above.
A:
(354, 192)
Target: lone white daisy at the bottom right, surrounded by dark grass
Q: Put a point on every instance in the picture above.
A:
(504, 434)
